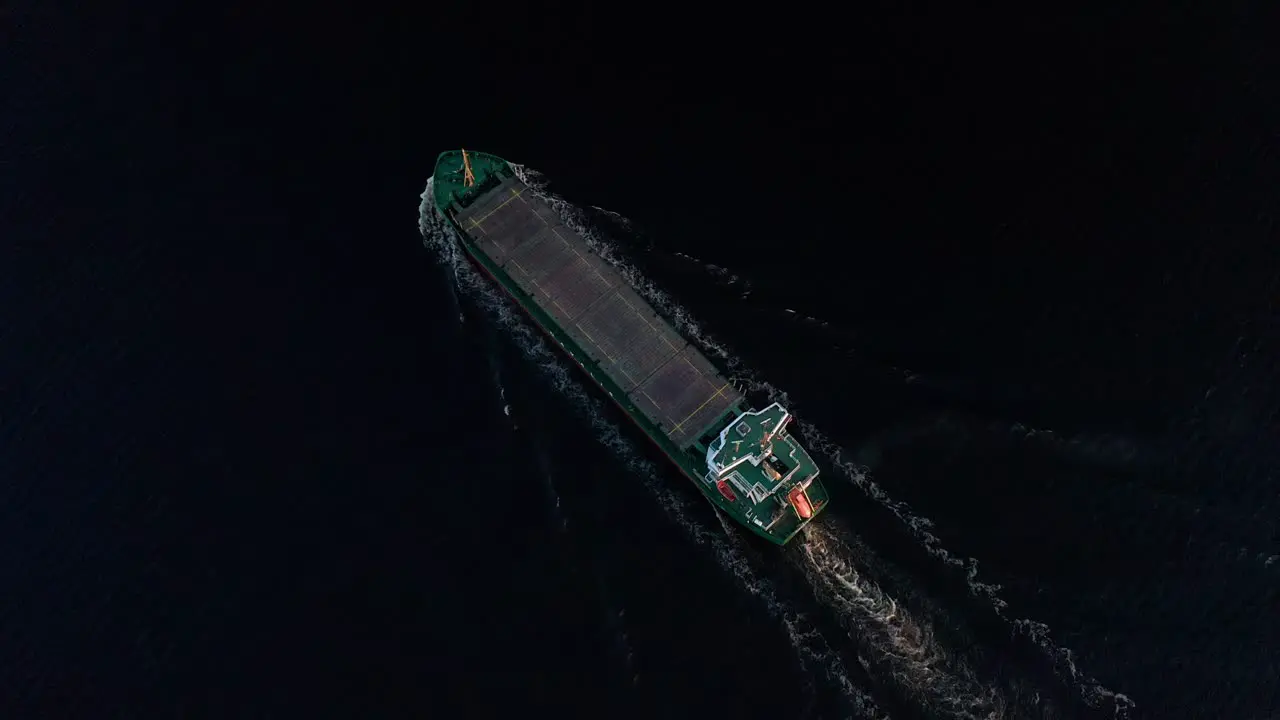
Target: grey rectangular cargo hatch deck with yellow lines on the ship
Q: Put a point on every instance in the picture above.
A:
(666, 377)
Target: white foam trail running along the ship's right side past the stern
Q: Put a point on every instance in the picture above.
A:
(1094, 692)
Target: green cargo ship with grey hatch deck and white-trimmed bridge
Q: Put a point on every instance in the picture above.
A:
(743, 458)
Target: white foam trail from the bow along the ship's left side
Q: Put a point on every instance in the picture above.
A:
(811, 648)
